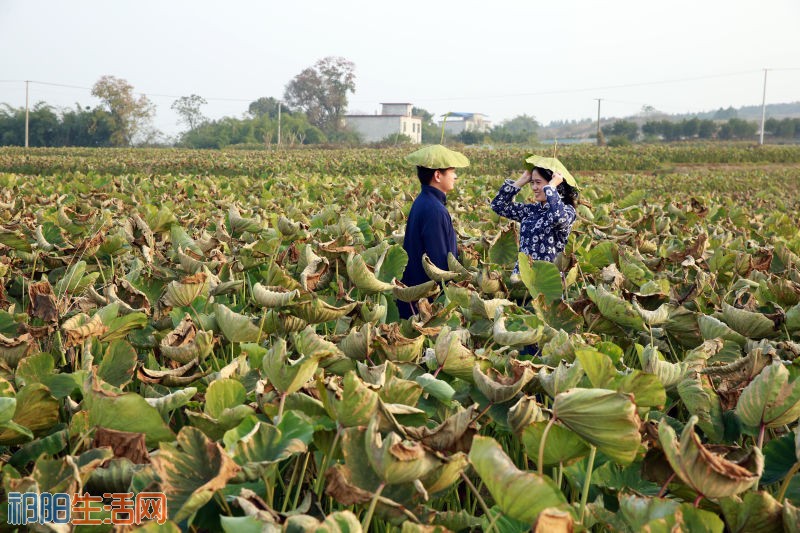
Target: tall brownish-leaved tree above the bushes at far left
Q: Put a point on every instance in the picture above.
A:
(130, 115)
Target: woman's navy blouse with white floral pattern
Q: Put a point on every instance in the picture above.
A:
(544, 228)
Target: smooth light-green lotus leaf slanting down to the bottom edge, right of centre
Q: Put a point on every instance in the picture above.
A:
(519, 494)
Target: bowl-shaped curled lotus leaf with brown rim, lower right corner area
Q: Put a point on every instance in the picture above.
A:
(708, 473)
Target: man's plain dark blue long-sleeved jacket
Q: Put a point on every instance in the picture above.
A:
(429, 230)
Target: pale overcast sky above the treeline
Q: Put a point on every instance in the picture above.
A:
(498, 57)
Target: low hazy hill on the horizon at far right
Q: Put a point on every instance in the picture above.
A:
(588, 127)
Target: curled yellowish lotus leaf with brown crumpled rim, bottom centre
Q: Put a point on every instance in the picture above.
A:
(396, 460)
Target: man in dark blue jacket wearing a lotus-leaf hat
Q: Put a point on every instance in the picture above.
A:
(429, 229)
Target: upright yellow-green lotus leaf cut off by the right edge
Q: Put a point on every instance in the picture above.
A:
(770, 399)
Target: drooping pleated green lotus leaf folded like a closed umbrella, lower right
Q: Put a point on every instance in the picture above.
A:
(604, 418)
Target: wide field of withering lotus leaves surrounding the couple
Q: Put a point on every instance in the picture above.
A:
(222, 327)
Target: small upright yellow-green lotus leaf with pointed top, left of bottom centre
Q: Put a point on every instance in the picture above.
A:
(352, 404)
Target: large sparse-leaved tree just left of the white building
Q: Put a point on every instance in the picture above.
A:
(321, 91)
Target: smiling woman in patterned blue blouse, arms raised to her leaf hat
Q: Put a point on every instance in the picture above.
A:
(544, 225)
